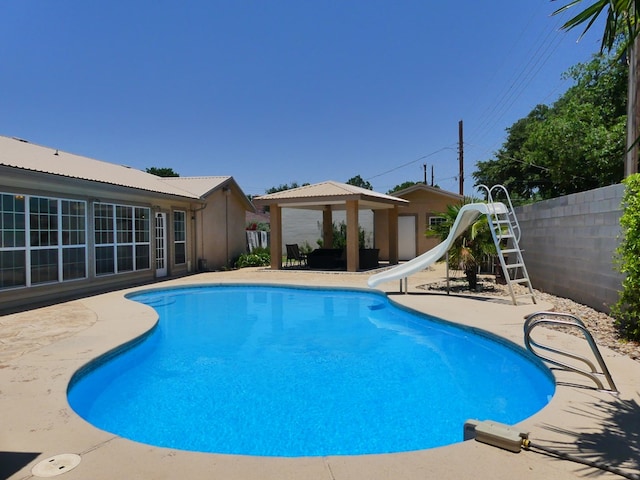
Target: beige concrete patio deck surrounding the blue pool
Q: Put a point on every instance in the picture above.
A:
(41, 349)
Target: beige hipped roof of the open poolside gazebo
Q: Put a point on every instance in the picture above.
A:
(335, 194)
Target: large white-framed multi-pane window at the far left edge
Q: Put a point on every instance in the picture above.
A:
(42, 240)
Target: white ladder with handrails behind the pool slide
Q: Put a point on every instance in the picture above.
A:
(505, 231)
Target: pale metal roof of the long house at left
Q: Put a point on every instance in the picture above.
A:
(18, 153)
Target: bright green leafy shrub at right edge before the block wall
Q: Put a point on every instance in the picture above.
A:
(626, 311)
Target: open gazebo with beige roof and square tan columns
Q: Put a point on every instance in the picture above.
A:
(329, 196)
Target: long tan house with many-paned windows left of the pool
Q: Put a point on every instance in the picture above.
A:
(72, 225)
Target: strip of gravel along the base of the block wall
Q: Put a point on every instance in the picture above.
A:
(600, 324)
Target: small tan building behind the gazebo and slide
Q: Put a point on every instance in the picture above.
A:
(414, 218)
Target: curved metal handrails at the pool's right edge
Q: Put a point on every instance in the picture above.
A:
(566, 319)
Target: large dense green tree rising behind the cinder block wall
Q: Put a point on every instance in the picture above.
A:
(574, 145)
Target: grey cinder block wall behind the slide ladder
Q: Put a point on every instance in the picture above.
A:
(569, 243)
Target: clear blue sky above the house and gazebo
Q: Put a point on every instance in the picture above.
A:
(281, 91)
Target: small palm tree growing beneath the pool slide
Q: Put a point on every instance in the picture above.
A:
(469, 248)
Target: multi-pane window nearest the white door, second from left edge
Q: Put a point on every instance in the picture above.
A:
(122, 238)
